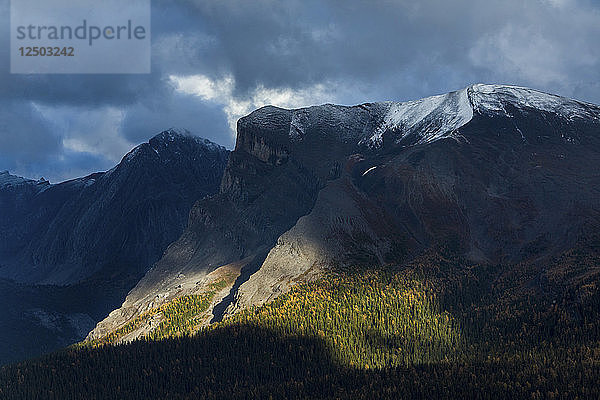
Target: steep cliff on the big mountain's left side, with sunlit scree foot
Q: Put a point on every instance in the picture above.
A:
(264, 190)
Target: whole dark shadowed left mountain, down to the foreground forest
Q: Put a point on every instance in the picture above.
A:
(70, 252)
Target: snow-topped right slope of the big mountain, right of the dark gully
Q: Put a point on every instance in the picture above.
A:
(504, 186)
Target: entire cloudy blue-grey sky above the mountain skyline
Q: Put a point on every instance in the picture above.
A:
(214, 61)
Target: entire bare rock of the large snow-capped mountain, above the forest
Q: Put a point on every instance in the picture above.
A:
(492, 173)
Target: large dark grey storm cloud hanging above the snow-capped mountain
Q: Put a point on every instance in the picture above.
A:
(403, 49)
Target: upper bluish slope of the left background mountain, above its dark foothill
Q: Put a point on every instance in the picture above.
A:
(138, 207)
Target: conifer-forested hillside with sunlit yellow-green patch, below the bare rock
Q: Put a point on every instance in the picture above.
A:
(437, 328)
